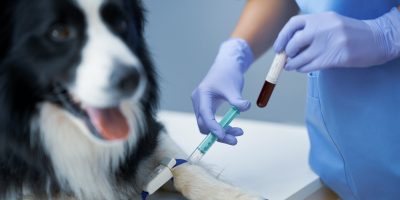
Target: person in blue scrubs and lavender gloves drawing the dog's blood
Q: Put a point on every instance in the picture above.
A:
(351, 52)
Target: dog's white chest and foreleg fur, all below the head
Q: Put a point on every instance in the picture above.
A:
(83, 166)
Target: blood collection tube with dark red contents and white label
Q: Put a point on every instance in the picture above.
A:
(271, 79)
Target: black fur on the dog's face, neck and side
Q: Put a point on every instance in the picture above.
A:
(30, 64)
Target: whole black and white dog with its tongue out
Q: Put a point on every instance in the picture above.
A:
(78, 100)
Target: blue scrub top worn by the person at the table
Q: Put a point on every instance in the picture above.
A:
(353, 117)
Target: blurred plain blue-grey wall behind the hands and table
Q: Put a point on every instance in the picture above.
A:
(184, 37)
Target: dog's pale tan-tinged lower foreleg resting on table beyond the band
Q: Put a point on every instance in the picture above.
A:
(196, 184)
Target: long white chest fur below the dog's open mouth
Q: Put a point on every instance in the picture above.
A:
(82, 165)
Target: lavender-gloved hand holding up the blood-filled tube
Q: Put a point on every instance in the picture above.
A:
(325, 40)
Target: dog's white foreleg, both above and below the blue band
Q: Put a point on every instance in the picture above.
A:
(193, 181)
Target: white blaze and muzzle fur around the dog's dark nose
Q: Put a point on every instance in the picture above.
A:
(102, 51)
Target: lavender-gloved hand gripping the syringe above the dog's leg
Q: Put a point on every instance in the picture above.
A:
(223, 82)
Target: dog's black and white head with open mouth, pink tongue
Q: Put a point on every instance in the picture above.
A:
(86, 56)
